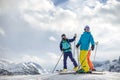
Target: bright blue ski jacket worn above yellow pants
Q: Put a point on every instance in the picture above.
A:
(85, 40)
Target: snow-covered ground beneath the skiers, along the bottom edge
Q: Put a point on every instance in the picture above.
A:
(107, 76)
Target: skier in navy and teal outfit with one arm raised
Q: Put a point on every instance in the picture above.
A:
(66, 49)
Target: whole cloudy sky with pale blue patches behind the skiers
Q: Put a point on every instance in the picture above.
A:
(30, 30)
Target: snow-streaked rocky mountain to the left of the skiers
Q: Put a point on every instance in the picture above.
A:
(25, 68)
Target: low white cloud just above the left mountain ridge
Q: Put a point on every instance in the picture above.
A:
(47, 60)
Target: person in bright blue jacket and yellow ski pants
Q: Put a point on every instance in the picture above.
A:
(84, 42)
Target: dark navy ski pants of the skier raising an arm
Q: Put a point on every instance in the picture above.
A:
(66, 55)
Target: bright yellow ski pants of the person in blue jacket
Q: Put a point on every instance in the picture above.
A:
(83, 60)
